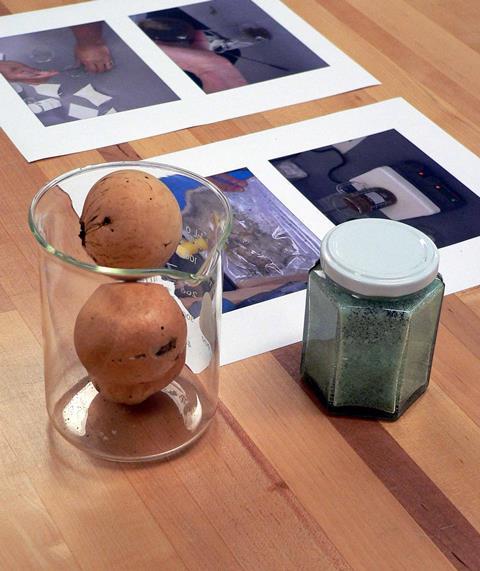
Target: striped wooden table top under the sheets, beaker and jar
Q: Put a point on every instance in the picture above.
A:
(275, 484)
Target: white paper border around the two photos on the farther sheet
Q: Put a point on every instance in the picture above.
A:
(35, 141)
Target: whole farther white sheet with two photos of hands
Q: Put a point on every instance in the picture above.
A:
(94, 74)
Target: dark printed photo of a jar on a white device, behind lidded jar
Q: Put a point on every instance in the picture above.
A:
(385, 176)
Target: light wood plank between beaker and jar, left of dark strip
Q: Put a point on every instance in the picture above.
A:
(324, 472)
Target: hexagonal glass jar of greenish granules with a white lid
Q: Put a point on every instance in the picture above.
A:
(373, 307)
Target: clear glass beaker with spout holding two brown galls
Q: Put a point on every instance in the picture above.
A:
(172, 418)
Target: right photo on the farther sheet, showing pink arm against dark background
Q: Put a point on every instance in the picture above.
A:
(222, 44)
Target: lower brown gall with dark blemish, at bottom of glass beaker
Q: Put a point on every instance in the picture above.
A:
(131, 338)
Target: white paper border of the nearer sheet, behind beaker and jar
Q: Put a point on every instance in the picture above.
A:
(278, 322)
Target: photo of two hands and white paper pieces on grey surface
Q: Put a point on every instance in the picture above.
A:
(79, 72)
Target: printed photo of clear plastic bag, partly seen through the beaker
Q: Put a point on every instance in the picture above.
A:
(269, 252)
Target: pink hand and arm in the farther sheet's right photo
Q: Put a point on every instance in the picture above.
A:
(214, 71)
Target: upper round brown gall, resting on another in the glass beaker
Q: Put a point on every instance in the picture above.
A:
(130, 219)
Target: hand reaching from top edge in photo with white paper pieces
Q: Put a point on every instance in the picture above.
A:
(91, 51)
